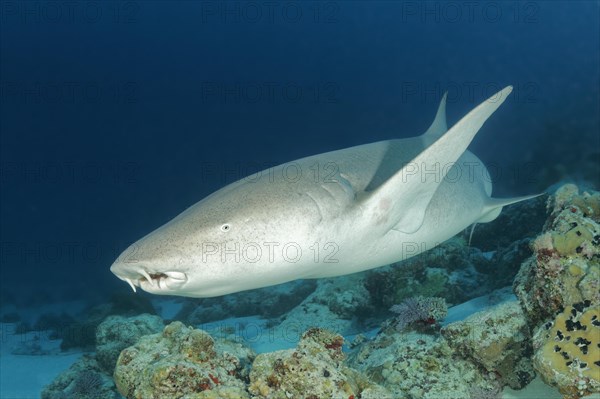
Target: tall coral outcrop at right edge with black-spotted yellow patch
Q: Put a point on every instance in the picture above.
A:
(559, 291)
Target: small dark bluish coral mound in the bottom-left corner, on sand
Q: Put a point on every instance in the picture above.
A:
(83, 380)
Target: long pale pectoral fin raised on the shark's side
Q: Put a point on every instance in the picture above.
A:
(400, 203)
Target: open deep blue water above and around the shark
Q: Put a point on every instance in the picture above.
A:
(116, 116)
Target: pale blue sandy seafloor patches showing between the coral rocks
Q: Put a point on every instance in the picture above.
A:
(24, 376)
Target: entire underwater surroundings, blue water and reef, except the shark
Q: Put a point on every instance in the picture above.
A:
(117, 116)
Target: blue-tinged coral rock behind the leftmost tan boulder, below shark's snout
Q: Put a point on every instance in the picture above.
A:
(116, 333)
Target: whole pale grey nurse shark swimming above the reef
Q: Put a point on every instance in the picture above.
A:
(325, 215)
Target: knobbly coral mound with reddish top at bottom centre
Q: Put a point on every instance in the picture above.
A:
(313, 370)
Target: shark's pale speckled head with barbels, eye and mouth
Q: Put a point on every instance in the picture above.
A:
(236, 239)
